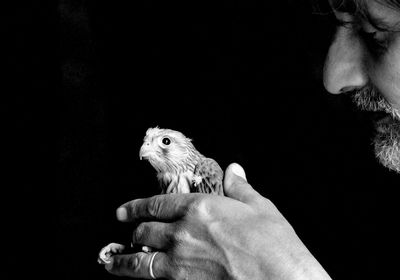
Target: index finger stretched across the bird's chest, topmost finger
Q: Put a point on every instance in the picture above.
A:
(164, 207)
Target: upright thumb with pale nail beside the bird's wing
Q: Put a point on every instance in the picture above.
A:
(236, 186)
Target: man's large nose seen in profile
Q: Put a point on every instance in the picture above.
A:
(344, 68)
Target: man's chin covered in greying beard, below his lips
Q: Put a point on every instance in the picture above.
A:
(387, 143)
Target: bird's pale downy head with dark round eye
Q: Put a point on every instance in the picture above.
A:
(167, 150)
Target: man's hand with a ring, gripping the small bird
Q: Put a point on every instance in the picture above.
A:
(200, 236)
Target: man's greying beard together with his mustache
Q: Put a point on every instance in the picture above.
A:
(387, 139)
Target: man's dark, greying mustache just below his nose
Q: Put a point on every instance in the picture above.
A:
(368, 98)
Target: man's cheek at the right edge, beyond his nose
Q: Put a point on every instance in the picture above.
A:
(385, 75)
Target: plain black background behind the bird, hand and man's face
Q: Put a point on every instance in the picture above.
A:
(242, 81)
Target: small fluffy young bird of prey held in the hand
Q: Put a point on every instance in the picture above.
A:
(180, 169)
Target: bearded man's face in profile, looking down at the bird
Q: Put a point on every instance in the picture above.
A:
(364, 60)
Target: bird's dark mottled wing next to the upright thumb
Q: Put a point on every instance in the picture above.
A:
(208, 177)
